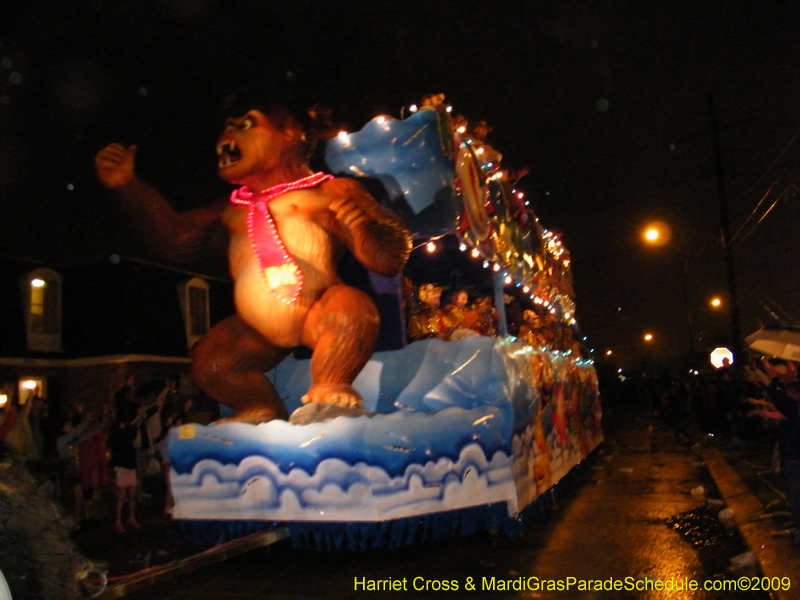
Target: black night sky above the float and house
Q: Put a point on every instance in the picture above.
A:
(605, 102)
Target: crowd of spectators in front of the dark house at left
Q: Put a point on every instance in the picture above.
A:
(97, 460)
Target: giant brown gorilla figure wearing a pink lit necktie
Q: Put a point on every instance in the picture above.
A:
(283, 231)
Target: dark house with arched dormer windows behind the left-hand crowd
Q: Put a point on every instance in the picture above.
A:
(79, 332)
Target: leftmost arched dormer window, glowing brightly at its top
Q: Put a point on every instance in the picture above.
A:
(43, 302)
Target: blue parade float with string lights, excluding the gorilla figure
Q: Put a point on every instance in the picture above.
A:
(452, 436)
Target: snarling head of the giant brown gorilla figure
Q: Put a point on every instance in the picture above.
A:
(252, 145)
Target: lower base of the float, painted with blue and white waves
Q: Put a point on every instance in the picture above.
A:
(451, 425)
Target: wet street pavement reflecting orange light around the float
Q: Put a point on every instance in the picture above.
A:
(634, 515)
